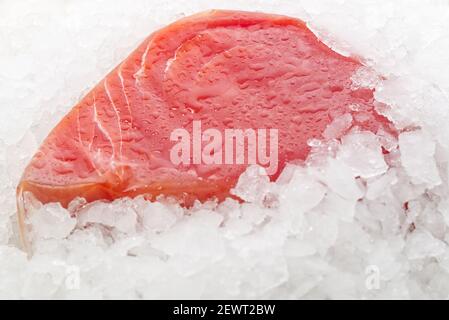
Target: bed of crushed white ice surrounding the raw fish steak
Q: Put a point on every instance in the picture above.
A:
(352, 221)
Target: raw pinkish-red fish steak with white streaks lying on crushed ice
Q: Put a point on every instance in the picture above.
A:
(222, 69)
